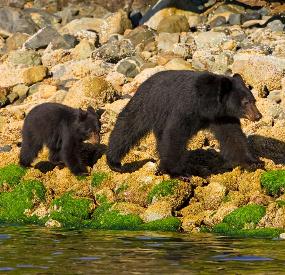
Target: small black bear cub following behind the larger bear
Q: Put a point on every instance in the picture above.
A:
(63, 130)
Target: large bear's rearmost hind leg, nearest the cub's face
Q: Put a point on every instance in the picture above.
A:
(130, 127)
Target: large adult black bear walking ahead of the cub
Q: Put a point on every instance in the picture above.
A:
(175, 105)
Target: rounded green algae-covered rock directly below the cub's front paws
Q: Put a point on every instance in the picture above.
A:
(71, 212)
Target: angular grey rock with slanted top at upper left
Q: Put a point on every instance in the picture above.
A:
(42, 38)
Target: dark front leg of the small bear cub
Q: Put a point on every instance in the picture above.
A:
(70, 155)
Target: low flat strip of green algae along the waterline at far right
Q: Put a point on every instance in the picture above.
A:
(225, 229)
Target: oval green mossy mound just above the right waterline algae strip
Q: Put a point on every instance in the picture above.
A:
(246, 215)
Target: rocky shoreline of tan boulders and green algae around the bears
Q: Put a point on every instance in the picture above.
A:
(83, 54)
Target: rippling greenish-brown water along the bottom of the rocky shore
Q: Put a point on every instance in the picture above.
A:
(33, 250)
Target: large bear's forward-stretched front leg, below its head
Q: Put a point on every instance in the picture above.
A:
(234, 145)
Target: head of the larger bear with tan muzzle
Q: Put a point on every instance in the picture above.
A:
(237, 100)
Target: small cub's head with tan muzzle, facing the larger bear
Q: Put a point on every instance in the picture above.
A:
(88, 125)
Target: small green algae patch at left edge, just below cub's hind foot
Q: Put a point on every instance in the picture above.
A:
(11, 174)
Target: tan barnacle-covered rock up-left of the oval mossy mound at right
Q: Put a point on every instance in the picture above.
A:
(211, 196)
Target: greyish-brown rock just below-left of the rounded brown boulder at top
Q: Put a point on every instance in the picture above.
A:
(140, 35)
